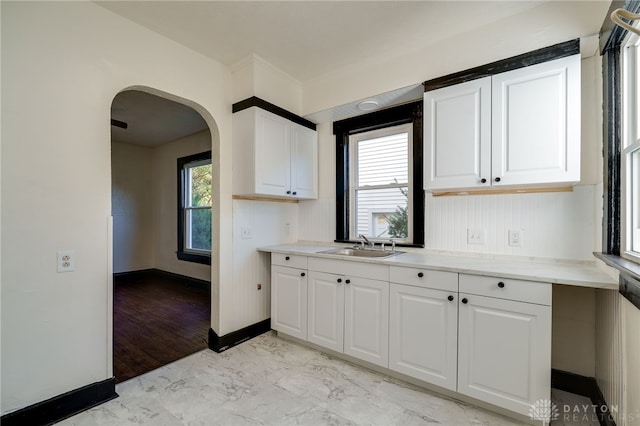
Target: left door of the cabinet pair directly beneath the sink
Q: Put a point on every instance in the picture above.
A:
(326, 310)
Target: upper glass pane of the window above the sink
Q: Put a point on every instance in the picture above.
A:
(384, 160)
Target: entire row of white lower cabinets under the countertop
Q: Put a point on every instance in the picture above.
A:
(484, 337)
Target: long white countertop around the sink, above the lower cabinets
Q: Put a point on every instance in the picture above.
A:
(583, 274)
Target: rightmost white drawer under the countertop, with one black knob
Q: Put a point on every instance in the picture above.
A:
(522, 291)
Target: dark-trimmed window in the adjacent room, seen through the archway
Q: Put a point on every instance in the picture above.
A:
(194, 208)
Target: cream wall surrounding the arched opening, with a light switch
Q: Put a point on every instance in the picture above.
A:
(62, 65)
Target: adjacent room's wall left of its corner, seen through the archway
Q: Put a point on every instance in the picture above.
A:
(132, 207)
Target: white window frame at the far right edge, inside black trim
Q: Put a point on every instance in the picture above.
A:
(630, 187)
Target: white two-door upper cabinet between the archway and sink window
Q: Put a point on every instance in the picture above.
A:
(273, 156)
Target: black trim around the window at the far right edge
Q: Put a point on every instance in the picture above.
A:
(611, 39)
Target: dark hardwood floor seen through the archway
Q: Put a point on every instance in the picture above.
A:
(158, 318)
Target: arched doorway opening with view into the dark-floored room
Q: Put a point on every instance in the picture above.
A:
(161, 304)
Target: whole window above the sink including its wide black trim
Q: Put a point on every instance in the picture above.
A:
(379, 176)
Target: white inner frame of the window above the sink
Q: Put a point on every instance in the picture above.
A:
(353, 180)
